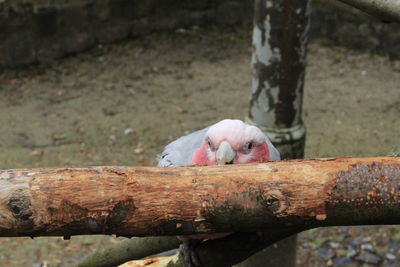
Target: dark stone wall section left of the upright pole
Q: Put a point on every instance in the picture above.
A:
(43, 30)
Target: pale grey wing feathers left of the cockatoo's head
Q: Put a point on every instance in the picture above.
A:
(180, 152)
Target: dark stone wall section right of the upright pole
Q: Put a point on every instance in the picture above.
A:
(349, 27)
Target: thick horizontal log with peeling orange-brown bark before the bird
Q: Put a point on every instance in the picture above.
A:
(150, 201)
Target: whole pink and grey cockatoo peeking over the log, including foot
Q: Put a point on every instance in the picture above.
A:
(226, 142)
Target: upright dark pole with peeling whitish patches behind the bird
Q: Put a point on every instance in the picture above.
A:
(280, 38)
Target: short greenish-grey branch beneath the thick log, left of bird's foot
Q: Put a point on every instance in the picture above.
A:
(129, 249)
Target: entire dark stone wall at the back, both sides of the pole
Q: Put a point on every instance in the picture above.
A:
(44, 30)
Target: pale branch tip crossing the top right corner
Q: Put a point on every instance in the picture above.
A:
(387, 10)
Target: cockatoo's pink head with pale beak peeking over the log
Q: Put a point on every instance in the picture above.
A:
(232, 142)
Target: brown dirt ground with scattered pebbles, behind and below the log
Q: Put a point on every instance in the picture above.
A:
(120, 104)
